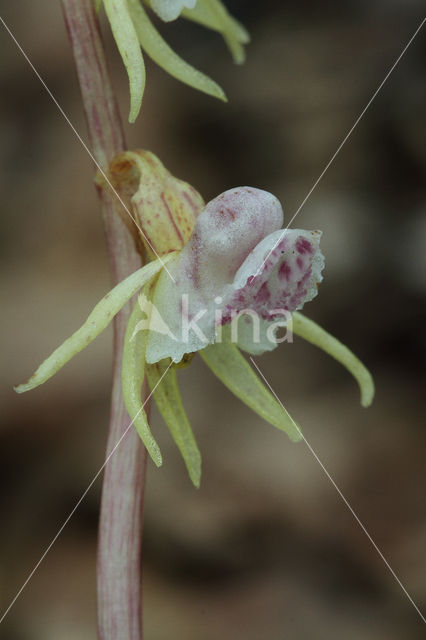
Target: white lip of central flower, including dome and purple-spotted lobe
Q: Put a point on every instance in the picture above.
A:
(238, 258)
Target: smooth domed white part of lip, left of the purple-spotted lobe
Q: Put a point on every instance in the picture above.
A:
(225, 233)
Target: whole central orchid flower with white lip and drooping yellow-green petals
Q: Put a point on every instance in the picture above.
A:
(222, 278)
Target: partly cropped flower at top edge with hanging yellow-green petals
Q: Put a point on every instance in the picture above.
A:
(133, 30)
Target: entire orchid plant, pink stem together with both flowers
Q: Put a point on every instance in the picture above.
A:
(234, 276)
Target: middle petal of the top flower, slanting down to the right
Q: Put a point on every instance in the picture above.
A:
(154, 45)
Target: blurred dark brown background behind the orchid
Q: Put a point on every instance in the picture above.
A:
(266, 548)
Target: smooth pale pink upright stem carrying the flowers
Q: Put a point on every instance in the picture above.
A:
(120, 528)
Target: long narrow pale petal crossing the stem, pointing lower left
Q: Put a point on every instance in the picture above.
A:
(97, 321)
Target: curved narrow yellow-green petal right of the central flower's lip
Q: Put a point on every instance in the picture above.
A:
(313, 333)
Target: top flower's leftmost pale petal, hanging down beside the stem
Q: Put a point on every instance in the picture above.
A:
(128, 45)
